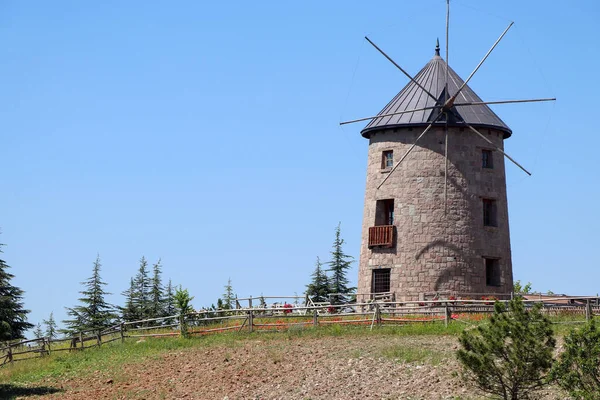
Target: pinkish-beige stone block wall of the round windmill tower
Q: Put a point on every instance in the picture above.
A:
(438, 247)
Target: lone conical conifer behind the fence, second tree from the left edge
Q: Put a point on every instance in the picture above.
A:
(93, 313)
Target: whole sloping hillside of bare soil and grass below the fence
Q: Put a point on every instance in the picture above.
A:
(336, 363)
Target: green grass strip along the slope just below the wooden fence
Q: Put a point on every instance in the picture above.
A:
(33, 377)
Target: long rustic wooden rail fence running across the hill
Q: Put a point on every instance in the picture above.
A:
(290, 316)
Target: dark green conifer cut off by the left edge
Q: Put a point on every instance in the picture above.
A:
(13, 317)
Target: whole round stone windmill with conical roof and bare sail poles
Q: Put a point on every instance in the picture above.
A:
(436, 213)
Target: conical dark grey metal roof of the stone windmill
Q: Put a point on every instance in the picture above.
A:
(433, 78)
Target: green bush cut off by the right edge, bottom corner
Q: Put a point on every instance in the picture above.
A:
(578, 367)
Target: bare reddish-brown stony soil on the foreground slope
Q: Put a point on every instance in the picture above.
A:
(314, 368)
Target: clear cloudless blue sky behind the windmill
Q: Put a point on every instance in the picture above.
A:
(206, 134)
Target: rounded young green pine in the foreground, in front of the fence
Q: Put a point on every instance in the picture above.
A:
(510, 356)
